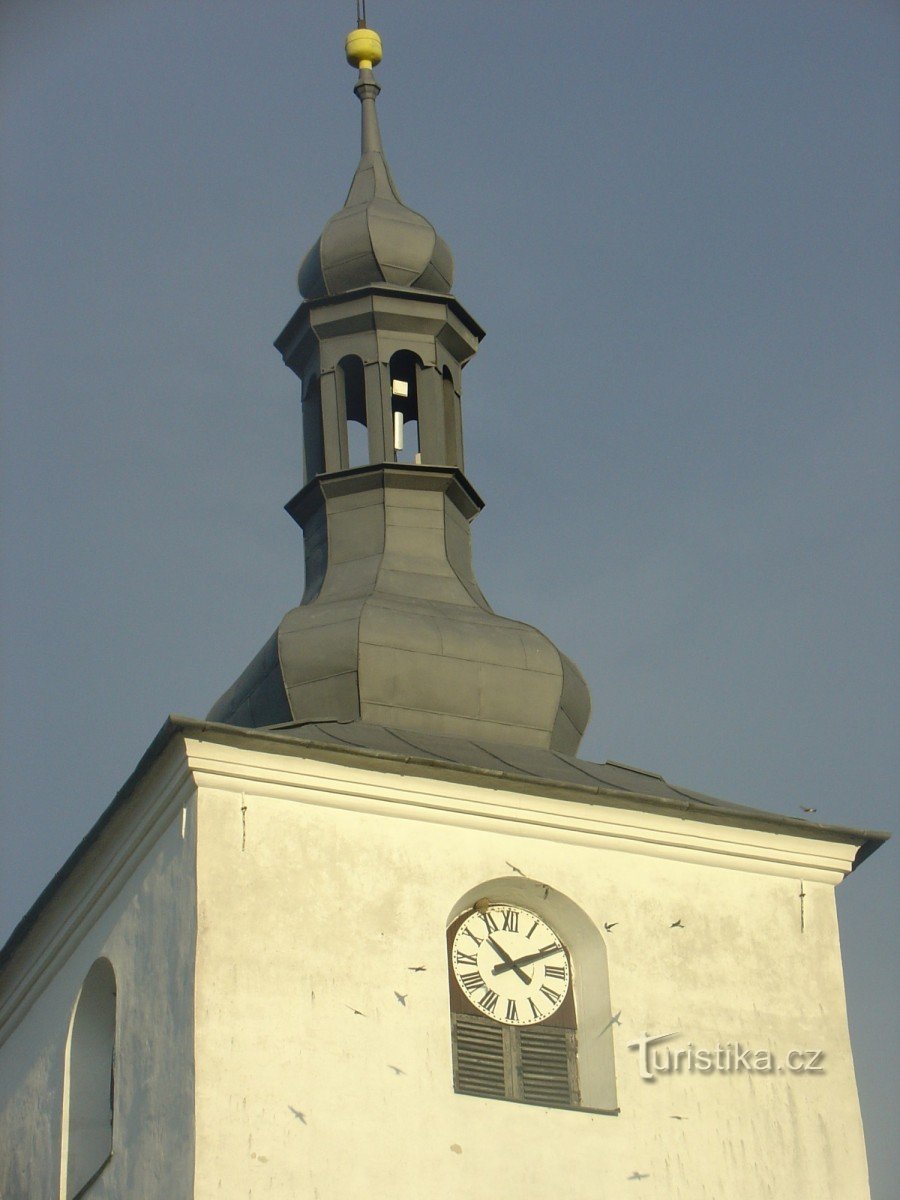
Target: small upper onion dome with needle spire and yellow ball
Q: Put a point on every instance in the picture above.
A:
(375, 238)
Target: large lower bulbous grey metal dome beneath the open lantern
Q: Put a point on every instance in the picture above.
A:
(394, 629)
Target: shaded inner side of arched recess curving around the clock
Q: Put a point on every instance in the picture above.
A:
(590, 976)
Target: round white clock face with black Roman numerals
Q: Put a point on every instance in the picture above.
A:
(511, 965)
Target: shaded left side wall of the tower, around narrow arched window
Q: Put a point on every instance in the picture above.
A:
(133, 903)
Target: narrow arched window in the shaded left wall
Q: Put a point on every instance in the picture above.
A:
(89, 1095)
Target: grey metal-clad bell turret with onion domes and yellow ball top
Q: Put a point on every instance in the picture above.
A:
(393, 628)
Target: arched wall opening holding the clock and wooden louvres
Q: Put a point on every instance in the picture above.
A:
(530, 999)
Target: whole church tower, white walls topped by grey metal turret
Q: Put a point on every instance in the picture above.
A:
(373, 928)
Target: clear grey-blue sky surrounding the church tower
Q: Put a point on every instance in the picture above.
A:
(676, 223)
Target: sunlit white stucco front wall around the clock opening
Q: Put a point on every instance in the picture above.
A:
(321, 886)
